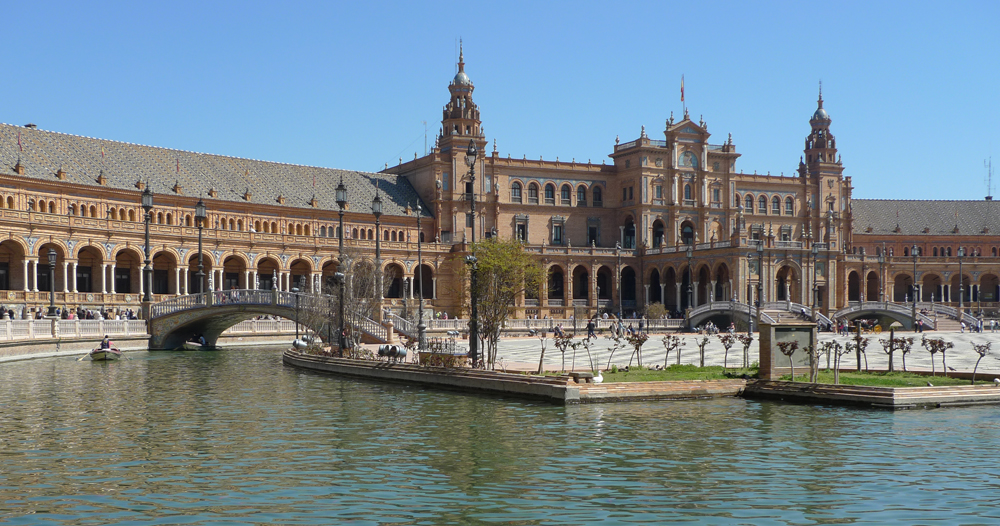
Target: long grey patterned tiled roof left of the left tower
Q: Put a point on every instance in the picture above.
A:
(123, 164)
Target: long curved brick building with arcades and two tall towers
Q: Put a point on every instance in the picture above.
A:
(668, 220)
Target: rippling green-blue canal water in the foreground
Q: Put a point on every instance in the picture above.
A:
(235, 437)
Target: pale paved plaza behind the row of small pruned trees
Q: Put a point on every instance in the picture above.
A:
(523, 353)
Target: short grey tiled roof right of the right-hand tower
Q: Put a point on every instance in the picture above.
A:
(937, 217)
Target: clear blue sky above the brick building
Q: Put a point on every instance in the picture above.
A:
(911, 86)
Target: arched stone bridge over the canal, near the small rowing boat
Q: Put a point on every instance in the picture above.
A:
(175, 320)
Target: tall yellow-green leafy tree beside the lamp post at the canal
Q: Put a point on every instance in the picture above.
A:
(504, 271)
